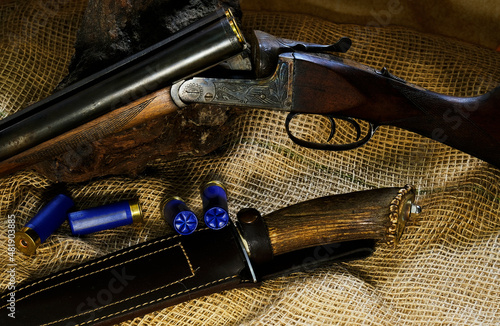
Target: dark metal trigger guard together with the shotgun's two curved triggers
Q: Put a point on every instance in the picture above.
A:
(369, 131)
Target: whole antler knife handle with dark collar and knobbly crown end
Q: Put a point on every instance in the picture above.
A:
(379, 214)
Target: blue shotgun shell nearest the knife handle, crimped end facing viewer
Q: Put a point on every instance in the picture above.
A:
(215, 205)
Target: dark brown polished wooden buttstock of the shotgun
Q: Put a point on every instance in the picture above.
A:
(347, 89)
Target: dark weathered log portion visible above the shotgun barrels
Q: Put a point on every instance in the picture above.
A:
(112, 30)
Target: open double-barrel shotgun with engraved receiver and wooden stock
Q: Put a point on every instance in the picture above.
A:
(212, 64)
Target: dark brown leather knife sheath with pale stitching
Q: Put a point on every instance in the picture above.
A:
(159, 273)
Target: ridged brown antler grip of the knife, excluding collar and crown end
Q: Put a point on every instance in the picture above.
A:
(353, 216)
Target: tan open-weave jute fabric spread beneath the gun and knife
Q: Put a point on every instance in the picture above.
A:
(446, 270)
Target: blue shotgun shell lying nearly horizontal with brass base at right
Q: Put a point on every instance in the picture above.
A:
(105, 217)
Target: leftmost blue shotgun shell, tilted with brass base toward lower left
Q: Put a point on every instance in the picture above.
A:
(43, 224)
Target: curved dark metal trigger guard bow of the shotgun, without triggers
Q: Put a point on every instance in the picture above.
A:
(328, 147)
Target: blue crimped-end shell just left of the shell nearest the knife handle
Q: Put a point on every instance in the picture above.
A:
(178, 216)
